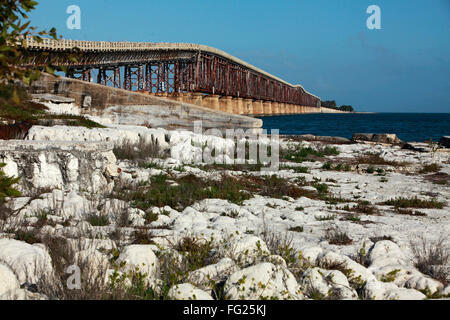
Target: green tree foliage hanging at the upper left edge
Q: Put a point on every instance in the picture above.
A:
(15, 27)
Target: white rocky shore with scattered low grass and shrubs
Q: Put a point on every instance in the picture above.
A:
(124, 212)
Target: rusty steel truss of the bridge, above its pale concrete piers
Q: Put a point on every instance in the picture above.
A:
(174, 70)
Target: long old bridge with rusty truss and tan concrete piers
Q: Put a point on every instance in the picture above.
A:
(188, 73)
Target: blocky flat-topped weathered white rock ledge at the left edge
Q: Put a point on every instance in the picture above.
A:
(59, 165)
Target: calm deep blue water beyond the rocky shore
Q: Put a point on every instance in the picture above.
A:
(408, 126)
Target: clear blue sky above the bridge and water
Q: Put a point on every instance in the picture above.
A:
(322, 44)
